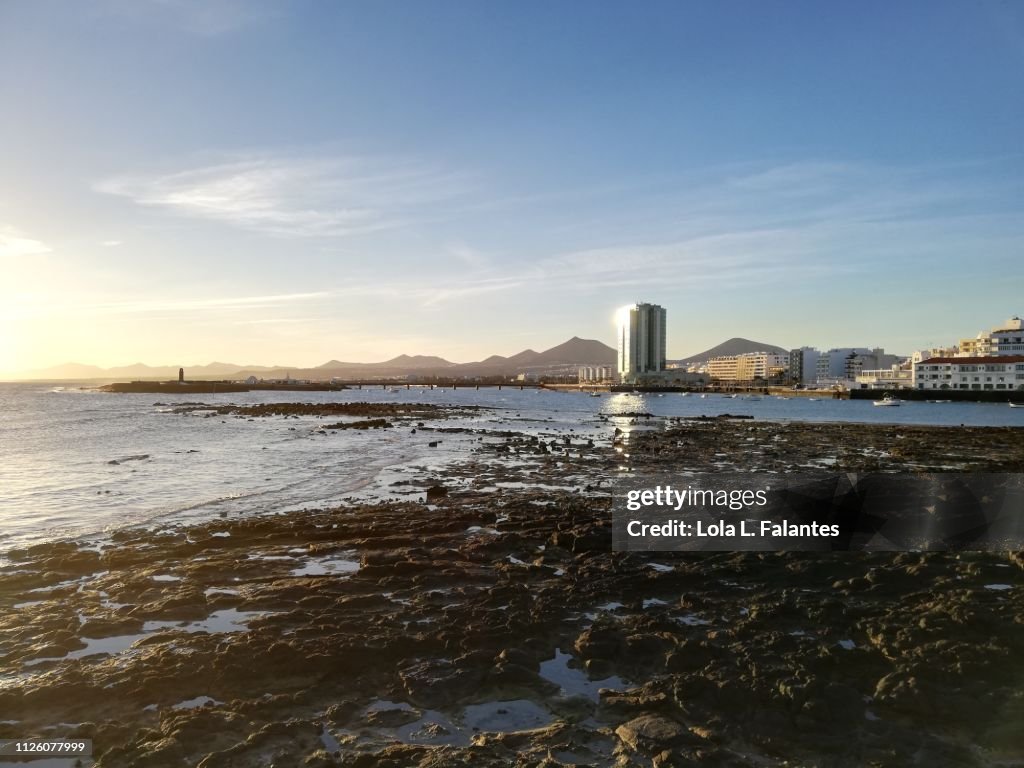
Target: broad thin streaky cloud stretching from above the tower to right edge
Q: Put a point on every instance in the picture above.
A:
(795, 222)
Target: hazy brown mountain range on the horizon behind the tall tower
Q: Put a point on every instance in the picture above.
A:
(572, 354)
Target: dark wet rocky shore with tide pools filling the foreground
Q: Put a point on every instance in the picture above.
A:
(493, 626)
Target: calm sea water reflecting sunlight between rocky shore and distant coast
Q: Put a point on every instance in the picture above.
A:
(58, 444)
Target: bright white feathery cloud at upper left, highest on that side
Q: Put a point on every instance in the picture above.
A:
(298, 197)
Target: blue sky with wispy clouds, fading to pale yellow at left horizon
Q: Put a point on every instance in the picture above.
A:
(185, 182)
